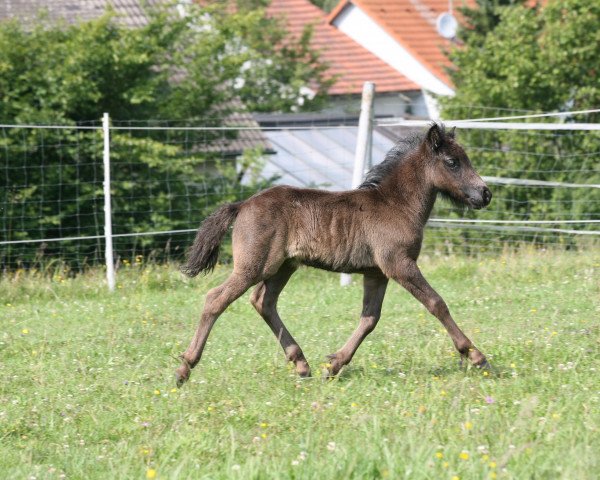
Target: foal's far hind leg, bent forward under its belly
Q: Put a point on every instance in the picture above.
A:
(264, 299)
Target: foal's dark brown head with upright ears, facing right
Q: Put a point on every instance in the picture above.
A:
(450, 170)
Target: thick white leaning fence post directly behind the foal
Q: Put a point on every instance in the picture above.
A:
(362, 156)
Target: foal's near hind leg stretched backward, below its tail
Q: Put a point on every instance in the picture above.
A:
(217, 300)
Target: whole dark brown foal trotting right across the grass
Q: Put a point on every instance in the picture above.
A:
(376, 230)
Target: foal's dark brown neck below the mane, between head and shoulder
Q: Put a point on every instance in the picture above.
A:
(411, 188)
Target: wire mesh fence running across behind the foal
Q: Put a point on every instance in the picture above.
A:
(168, 176)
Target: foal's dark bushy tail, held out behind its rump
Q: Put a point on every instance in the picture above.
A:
(202, 256)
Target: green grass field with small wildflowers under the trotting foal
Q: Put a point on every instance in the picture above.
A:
(86, 378)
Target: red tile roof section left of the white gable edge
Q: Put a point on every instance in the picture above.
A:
(350, 62)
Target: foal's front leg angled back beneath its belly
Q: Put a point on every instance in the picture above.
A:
(374, 291)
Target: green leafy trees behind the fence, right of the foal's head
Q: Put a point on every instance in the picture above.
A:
(522, 59)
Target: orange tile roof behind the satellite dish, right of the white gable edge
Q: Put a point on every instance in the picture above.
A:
(412, 23)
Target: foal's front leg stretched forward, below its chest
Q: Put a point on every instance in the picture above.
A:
(407, 273)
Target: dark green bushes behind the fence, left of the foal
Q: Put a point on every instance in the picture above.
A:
(195, 69)
